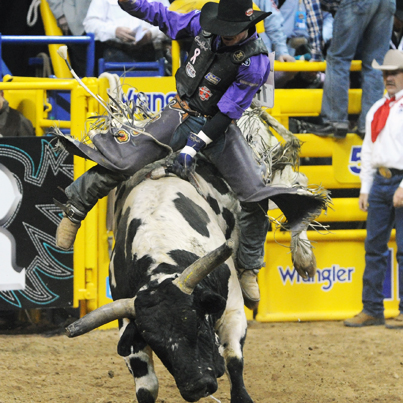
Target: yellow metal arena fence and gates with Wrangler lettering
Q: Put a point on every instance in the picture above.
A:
(334, 293)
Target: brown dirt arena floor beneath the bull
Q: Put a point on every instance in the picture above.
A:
(315, 362)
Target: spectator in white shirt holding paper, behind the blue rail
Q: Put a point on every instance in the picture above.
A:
(124, 38)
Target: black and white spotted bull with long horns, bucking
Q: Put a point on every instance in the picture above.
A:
(175, 286)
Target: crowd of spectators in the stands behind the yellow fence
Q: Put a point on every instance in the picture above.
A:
(335, 31)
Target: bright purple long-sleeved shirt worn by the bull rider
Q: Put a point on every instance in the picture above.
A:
(251, 76)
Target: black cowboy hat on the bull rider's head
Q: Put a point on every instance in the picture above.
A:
(230, 17)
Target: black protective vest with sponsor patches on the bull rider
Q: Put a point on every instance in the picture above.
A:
(203, 79)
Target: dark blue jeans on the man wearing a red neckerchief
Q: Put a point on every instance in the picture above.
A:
(382, 216)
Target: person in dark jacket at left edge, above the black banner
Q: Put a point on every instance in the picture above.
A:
(13, 122)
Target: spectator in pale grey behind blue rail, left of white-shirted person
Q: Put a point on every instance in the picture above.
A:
(70, 16)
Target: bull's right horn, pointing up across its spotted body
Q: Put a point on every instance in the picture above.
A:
(201, 268)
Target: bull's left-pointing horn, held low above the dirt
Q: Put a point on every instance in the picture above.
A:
(122, 308)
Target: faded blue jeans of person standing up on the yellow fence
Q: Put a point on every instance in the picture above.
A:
(367, 23)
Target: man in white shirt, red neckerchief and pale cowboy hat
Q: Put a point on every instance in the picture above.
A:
(381, 192)
